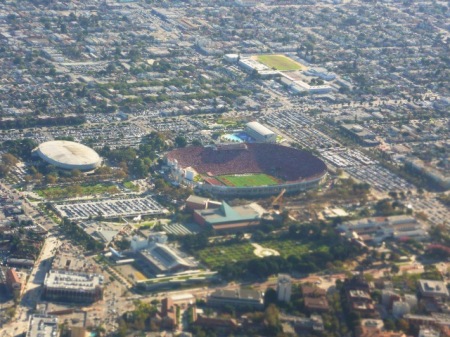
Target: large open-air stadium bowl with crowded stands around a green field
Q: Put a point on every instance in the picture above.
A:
(246, 169)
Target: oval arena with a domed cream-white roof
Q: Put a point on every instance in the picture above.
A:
(68, 155)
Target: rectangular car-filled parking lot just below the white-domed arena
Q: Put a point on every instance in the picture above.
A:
(111, 208)
